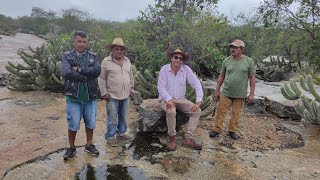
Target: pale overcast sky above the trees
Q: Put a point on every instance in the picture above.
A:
(114, 10)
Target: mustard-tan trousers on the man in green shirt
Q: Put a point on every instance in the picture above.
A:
(224, 106)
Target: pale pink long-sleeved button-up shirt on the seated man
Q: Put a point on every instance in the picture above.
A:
(171, 86)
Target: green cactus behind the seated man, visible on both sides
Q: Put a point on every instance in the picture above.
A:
(145, 88)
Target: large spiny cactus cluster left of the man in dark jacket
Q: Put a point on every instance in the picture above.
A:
(41, 70)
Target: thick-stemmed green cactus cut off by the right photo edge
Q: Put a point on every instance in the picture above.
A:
(307, 108)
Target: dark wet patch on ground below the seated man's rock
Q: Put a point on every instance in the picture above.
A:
(147, 144)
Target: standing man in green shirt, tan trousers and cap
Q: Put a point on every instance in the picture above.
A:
(235, 72)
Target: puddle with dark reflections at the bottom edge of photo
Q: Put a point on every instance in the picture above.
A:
(114, 172)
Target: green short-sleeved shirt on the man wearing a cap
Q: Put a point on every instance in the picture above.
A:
(236, 76)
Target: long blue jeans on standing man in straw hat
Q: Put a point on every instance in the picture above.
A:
(117, 111)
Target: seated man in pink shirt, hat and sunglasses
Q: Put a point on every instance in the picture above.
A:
(172, 89)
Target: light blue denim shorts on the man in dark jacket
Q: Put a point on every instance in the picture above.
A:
(75, 111)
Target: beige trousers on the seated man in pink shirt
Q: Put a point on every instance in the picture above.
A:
(185, 106)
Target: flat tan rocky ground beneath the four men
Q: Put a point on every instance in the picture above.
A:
(34, 130)
